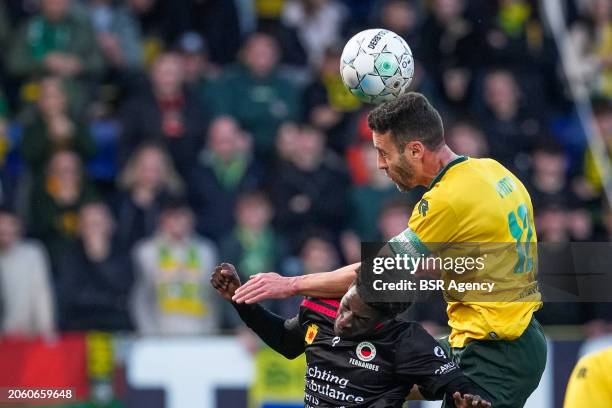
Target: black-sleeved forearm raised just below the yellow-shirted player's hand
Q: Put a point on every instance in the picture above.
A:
(275, 331)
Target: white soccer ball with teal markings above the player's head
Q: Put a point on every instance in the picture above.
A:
(376, 65)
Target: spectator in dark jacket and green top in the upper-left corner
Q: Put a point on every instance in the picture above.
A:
(57, 42)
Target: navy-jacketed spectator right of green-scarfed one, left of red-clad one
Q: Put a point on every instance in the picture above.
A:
(310, 190)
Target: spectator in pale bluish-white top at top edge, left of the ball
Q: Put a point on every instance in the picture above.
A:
(319, 24)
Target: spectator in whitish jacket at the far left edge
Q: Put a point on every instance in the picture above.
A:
(25, 287)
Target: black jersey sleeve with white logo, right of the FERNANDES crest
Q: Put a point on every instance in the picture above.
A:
(422, 361)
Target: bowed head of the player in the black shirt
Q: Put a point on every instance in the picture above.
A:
(357, 317)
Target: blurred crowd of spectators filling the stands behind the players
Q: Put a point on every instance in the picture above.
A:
(143, 141)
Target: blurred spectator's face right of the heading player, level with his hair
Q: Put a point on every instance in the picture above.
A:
(501, 93)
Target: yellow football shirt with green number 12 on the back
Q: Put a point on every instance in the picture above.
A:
(478, 203)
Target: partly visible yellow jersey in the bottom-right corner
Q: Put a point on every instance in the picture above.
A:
(591, 383)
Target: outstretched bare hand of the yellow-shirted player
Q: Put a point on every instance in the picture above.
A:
(264, 286)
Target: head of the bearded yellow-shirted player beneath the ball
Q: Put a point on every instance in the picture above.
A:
(407, 131)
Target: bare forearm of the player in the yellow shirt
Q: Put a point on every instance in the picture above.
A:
(326, 284)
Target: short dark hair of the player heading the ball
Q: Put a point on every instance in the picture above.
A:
(409, 117)
